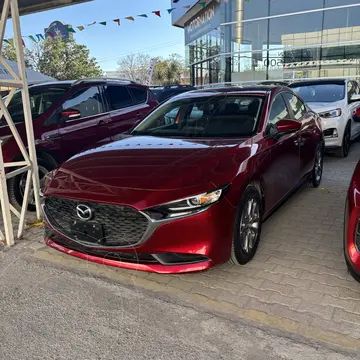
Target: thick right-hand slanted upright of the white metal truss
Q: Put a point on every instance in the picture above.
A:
(26, 103)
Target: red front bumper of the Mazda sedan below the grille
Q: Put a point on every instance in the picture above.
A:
(201, 241)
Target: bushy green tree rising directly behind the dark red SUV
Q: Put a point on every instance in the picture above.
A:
(64, 60)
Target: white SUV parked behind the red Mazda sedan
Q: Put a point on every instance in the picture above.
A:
(335, 100)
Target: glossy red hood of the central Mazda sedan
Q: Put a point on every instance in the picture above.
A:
(149, 164)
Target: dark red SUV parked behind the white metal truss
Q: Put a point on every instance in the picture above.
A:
(69, 116)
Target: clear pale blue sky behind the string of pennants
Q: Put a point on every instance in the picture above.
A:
(153, 35)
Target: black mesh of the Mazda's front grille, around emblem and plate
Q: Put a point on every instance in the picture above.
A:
(123, 226)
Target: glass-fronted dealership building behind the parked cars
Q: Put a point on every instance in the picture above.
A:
(246, 40)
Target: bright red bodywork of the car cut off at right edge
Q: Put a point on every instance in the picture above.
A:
(352, 218)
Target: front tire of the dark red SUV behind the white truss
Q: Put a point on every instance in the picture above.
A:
(16, 186)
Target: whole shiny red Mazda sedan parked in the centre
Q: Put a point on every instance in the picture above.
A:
(190, 186)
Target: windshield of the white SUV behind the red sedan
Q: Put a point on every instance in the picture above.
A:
(321, 92)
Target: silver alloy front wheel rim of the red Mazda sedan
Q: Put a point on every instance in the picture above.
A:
(249, 224)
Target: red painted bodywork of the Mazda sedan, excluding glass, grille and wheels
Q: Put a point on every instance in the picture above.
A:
(142, 172)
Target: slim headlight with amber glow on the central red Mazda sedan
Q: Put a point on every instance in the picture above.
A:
(187, 206)
